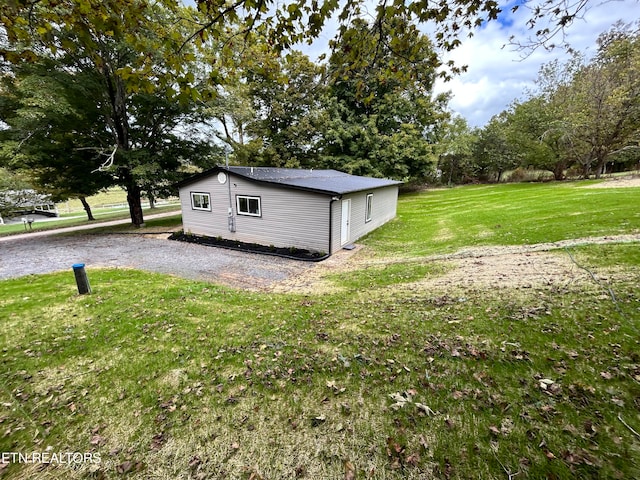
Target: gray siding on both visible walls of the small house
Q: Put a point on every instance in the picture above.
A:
(290, 218)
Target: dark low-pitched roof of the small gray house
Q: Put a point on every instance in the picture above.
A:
(331, 182)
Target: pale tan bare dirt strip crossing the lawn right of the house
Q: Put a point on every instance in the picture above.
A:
(497, 267)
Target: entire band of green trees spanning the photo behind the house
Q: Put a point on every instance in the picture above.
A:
(141, 94)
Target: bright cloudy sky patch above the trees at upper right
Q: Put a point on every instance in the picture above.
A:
(497, 74)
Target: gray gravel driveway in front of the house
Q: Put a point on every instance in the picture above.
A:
(153, 253)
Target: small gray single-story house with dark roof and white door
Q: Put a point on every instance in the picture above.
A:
(318, 210)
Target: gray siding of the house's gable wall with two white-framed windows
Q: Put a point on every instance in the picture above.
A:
(289, 217)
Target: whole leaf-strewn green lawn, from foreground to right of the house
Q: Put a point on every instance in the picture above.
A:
(380, 378)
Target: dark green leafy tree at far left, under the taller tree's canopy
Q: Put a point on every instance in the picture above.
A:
(55, 131)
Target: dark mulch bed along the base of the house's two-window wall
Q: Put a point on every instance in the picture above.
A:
(291, 252)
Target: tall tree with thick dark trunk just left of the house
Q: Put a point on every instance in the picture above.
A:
(131, 50)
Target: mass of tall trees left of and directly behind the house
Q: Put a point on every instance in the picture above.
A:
(93, 96)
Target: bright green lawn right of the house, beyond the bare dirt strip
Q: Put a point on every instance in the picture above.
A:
(445, 220)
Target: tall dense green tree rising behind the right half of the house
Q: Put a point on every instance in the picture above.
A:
(381, 115)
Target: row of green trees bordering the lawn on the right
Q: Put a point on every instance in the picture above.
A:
(582, 119)
